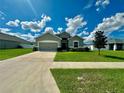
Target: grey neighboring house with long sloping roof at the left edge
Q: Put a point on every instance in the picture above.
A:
(8, 41)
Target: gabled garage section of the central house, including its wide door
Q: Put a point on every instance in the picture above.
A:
(48, 42)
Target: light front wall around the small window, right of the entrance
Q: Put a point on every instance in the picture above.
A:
(71, 41)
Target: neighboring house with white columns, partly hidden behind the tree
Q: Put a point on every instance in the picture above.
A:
(112, 44)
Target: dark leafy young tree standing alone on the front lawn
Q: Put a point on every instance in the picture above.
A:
(100, 40)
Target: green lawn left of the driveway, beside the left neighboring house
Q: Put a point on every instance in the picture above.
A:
(10, 53)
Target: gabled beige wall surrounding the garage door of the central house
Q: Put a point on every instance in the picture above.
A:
(48, 37)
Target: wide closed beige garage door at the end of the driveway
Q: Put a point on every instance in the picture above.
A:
(48, 46)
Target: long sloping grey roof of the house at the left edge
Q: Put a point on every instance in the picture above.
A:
(12, 38)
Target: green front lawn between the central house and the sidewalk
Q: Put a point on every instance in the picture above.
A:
(106, 56)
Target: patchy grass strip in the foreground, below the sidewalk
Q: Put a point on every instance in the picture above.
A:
(89, 80)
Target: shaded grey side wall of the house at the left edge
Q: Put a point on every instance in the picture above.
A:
(4, 44)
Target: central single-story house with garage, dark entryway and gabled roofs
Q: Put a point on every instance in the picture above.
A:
(50, 42)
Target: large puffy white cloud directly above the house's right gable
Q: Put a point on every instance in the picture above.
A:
(73, 24)
